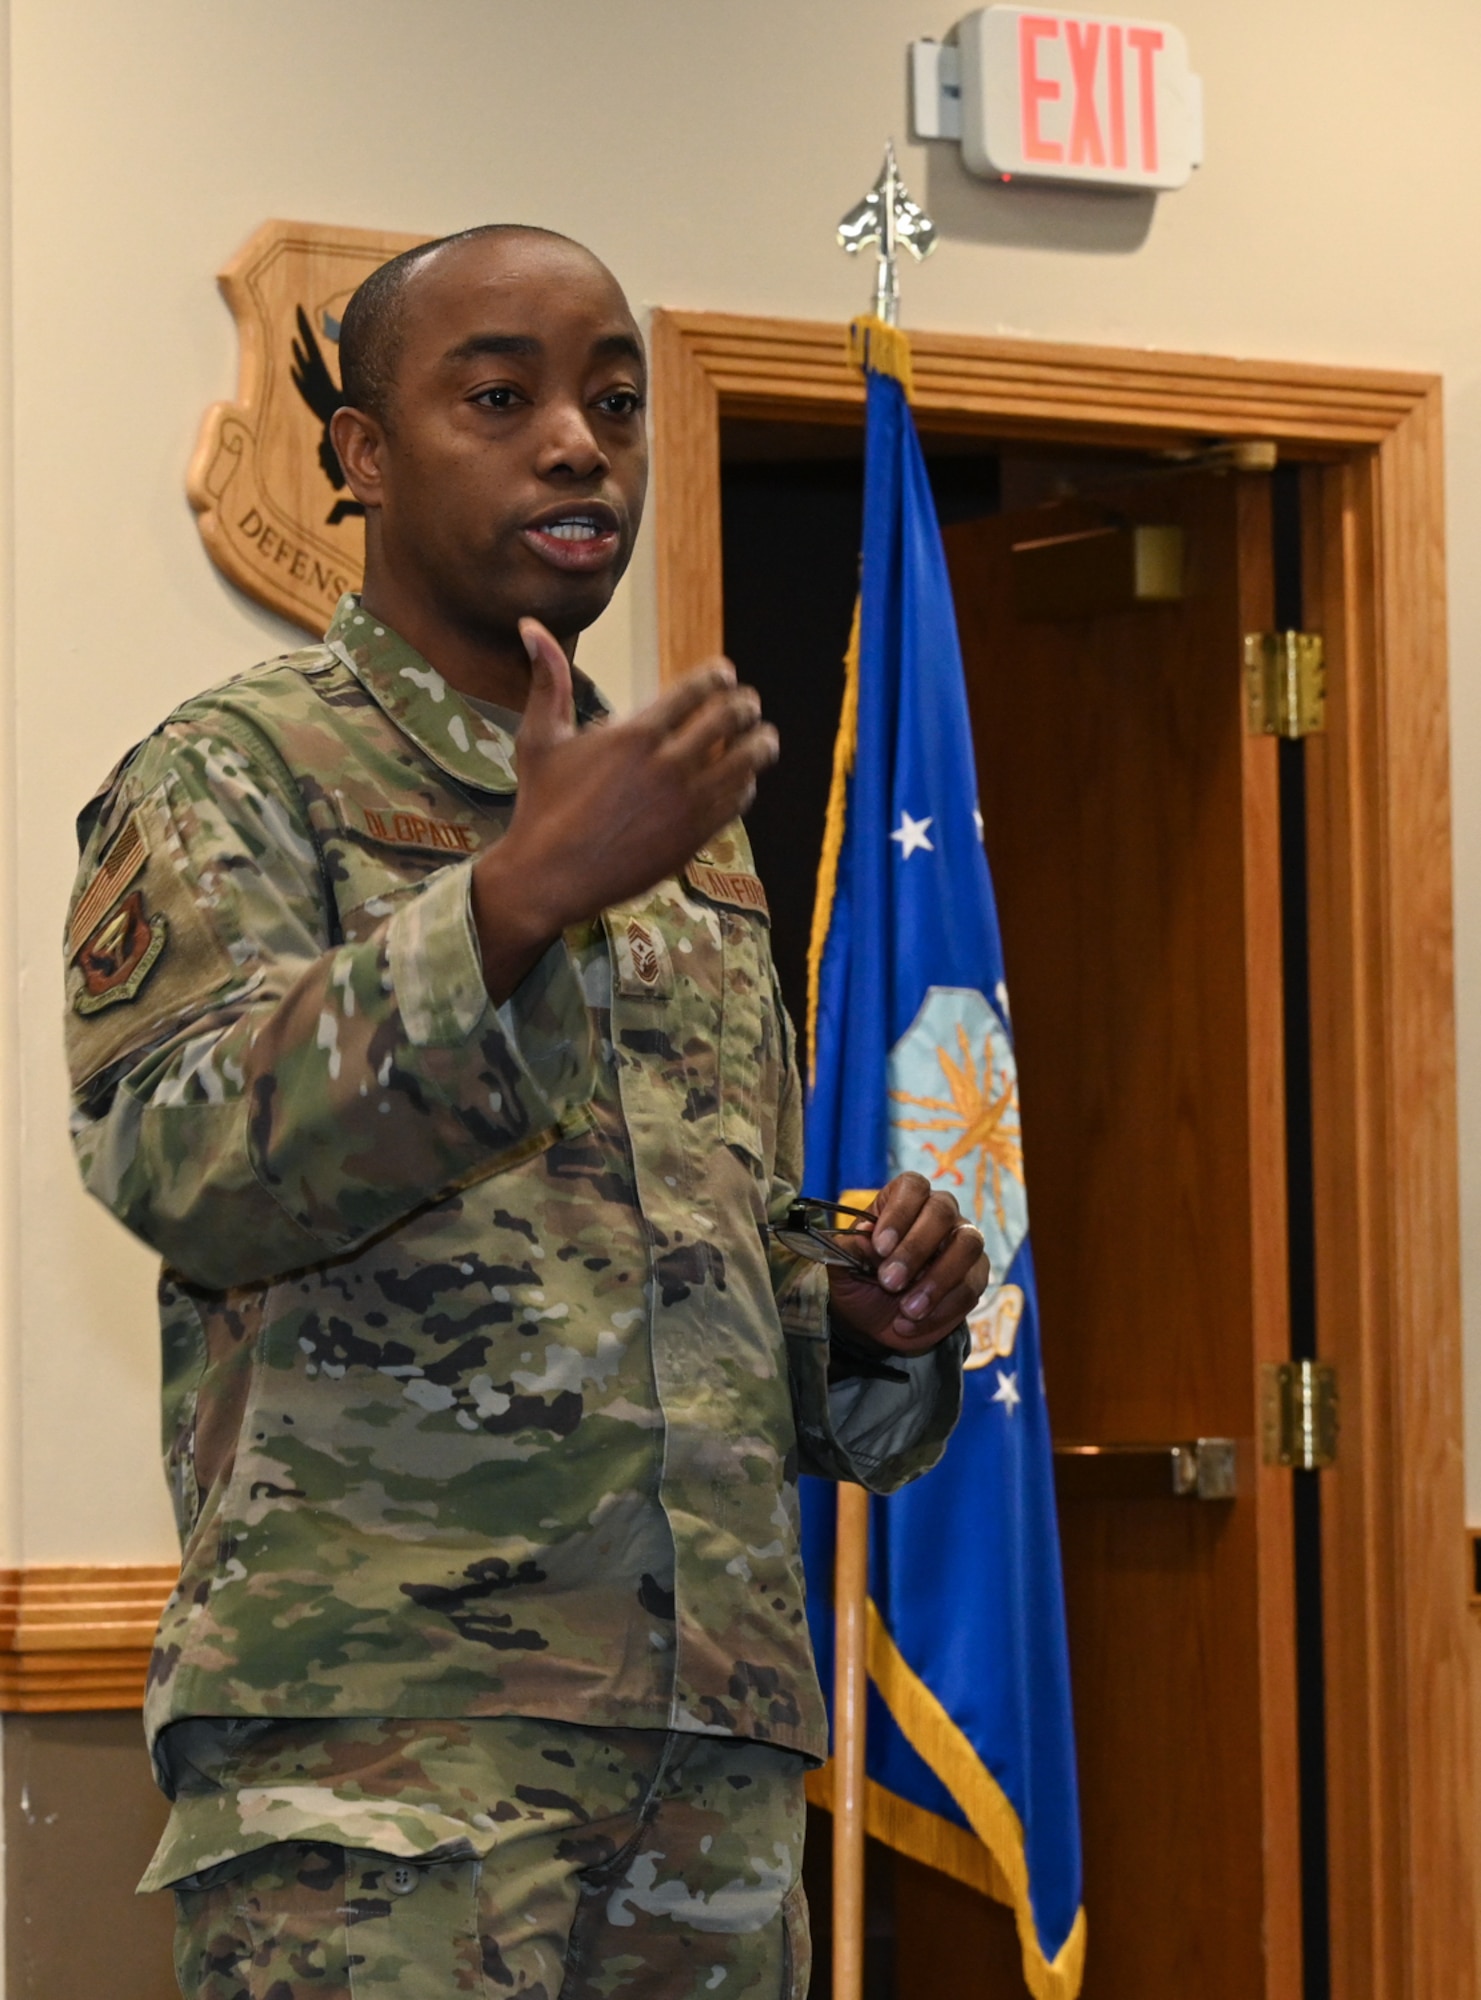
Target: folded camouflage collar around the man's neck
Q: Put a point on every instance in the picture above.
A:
(427, 709)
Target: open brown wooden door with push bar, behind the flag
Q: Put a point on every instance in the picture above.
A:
(1134, 835)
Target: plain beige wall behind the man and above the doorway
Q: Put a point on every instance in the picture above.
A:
(707, 153)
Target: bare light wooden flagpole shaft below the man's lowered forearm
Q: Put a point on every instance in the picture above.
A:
(850, 1711)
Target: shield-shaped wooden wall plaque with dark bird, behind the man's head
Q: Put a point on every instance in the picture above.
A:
(267, 487)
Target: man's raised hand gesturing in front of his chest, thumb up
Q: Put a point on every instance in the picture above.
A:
(605, 813)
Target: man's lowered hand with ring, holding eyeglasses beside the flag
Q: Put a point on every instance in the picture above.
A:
(930, 1271)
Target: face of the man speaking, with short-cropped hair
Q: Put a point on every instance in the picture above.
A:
(509, 477)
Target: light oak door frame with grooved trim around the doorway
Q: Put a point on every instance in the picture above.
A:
(1398, 1637)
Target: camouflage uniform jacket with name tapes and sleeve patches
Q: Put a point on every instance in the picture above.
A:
(485, 1391)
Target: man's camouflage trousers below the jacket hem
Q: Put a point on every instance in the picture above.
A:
(627, 1865)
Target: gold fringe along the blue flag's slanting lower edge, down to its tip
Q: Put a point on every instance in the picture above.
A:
(940, 1743)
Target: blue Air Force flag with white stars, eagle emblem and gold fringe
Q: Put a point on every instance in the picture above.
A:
(972, 1755)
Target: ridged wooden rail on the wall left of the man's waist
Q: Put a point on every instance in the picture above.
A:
(77, 1637)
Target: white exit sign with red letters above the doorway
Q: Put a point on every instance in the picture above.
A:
(1094, 99)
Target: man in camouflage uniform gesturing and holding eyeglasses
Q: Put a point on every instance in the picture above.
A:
(459, 1115)
